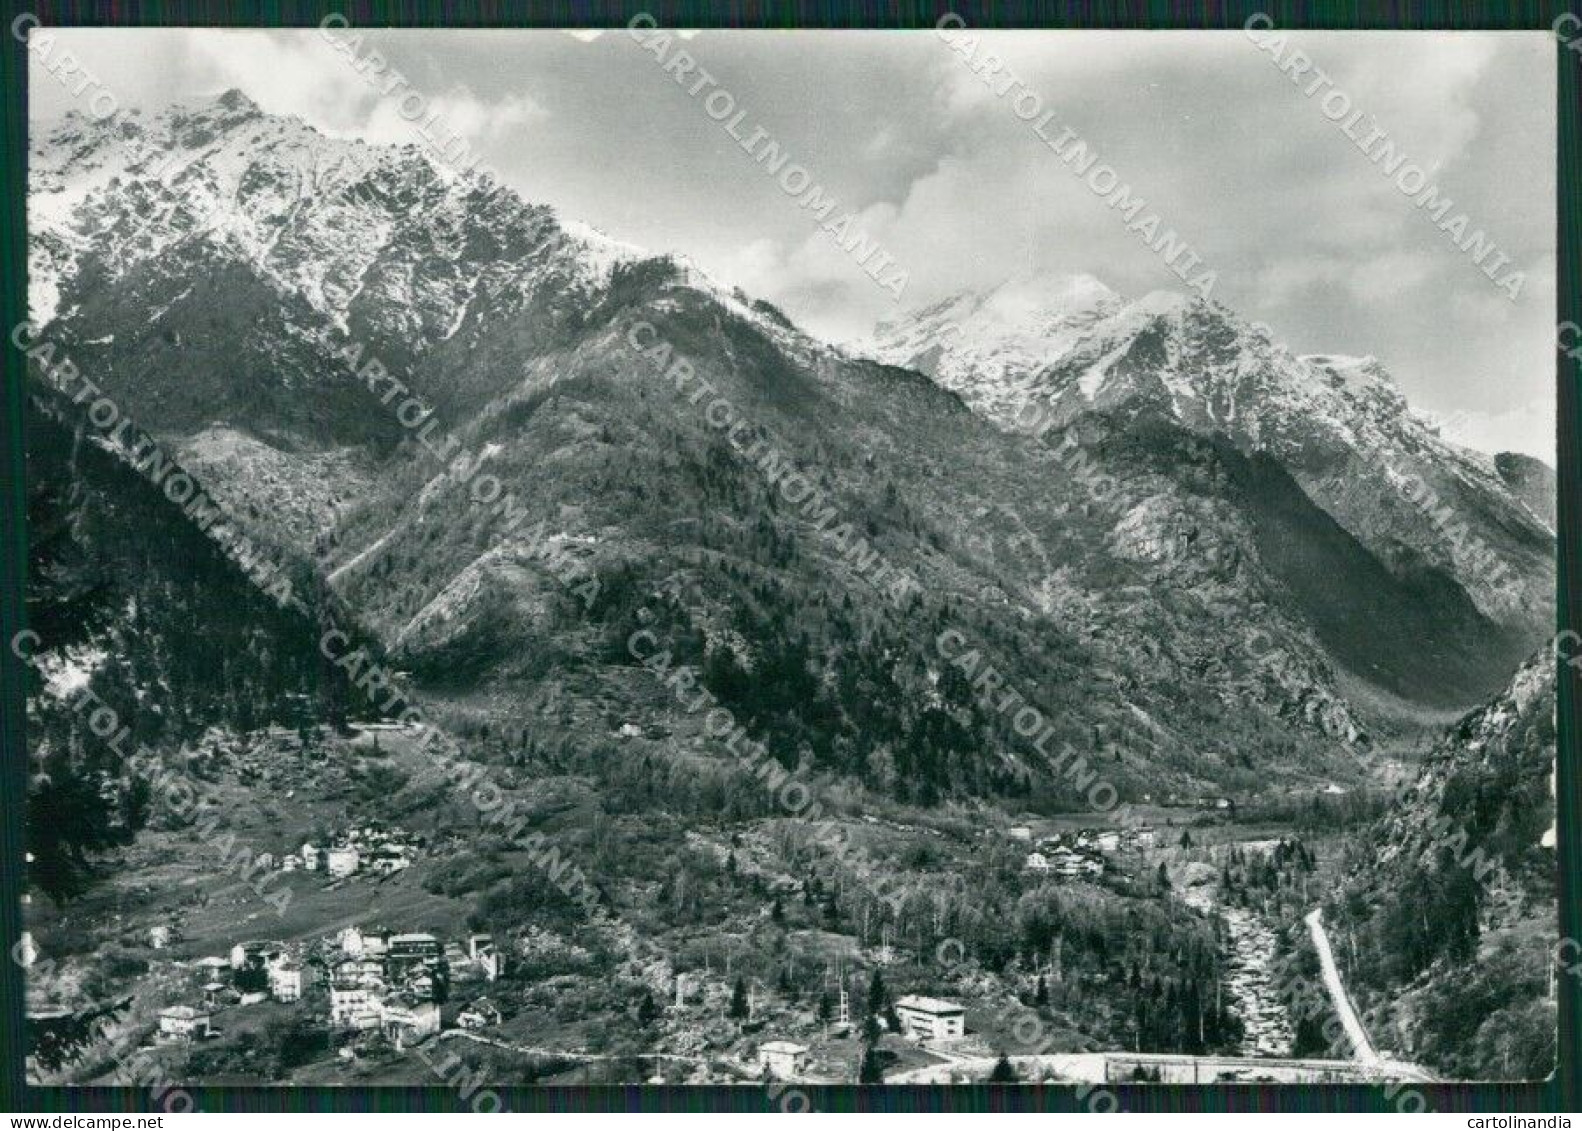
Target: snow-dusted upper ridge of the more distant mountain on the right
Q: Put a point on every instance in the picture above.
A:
(1338, 423)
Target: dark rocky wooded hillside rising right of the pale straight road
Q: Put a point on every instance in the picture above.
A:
(1451, 895)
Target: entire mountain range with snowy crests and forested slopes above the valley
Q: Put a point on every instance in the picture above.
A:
(1132, 567)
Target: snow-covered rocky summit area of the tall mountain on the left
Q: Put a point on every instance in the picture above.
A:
(324, 219)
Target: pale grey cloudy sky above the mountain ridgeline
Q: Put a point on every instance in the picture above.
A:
(1303, 230)
